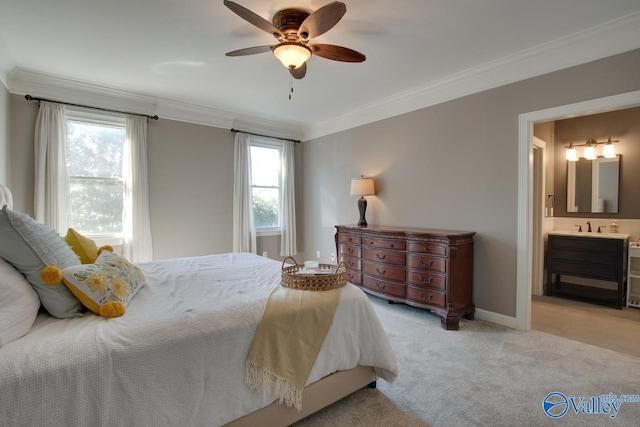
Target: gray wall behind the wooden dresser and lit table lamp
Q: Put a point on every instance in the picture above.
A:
(450, 166)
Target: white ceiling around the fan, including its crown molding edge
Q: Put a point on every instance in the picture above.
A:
(169, 55)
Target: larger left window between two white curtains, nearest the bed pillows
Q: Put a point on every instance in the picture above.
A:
(95, 146)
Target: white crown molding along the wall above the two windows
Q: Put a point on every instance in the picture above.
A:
(23, 82)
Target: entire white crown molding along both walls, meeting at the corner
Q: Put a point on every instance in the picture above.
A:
(617, 36)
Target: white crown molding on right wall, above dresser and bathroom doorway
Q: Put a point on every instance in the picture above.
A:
(614, 37)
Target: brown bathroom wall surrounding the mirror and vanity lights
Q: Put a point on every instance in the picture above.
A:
(623, 125)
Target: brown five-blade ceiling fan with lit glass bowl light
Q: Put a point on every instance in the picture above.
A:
(294, 28)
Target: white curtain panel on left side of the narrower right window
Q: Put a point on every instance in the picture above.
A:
(244, 230)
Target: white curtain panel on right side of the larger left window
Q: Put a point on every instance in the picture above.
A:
(137, 246)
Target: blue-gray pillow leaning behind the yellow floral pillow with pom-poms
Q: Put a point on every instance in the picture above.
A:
(30, 246)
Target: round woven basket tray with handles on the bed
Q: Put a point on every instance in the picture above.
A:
(333, 277)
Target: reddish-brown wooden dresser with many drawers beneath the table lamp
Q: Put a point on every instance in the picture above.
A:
(426, 268)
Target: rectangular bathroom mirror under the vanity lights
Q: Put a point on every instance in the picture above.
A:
(592, 185)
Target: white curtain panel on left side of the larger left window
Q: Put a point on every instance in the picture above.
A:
(52, 201)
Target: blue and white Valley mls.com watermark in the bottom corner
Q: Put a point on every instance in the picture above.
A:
(556, 404)
